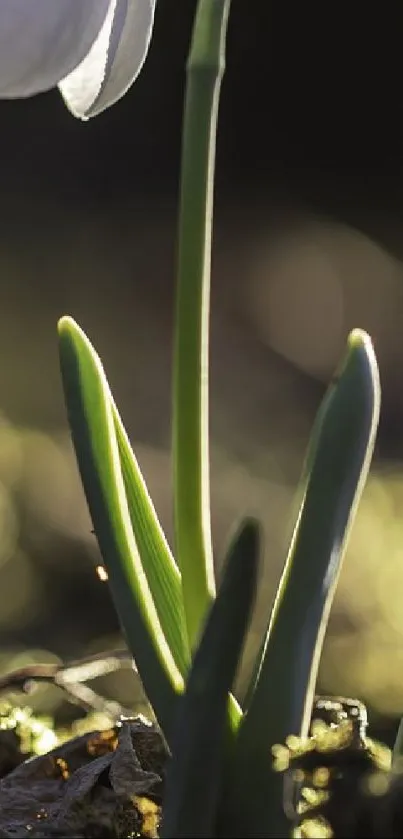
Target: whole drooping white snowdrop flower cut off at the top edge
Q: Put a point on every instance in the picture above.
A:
(92, 49)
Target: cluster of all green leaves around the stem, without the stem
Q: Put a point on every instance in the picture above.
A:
(144, 584)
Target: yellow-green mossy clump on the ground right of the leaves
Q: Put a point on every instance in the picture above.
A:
(338, 782)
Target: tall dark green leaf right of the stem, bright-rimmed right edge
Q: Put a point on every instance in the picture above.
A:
(337, 464)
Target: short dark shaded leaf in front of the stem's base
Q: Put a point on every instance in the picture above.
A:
(195, 773)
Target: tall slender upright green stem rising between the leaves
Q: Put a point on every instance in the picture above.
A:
(190, 409)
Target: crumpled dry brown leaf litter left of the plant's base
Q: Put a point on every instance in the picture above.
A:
(106, 783)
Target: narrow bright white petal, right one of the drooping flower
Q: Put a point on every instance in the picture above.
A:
(114, 60)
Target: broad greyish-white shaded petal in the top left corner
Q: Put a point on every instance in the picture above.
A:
(41, 41)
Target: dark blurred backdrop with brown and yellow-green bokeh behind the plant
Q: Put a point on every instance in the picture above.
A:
(307, 245)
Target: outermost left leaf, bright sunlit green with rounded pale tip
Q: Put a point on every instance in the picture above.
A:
(92, 423)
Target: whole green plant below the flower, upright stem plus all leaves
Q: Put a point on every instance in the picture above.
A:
(221, 781)
